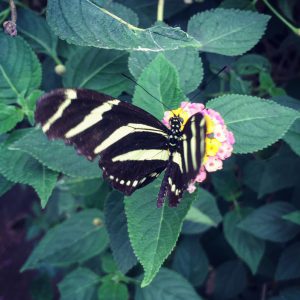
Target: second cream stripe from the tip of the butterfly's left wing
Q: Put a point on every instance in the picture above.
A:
(92, 118)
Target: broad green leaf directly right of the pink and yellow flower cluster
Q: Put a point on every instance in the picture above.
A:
(255, 122)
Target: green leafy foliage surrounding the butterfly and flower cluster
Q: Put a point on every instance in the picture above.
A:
(237, 236)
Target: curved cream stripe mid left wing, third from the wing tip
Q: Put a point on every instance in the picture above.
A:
(124, 131)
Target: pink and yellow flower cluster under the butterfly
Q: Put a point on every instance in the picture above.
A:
(218, 142)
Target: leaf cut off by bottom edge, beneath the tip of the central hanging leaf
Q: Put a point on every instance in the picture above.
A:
(168, 285)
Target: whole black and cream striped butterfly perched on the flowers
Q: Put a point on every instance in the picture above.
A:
(134, 147)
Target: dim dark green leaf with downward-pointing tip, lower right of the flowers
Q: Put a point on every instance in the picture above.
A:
(249, 248)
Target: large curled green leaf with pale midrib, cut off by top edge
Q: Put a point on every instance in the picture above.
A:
(101, 28)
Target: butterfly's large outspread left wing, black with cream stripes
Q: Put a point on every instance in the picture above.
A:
(132, 144)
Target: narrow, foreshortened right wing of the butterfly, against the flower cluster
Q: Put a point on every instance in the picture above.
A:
(185, 163)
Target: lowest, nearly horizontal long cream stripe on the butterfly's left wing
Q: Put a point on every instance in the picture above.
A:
(143, 154)
